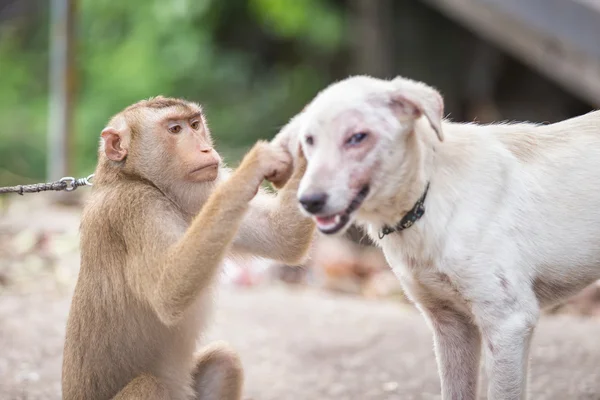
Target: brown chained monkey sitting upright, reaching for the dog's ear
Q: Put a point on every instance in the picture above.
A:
(162, 215)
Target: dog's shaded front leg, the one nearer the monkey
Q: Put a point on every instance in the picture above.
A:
(457, 348)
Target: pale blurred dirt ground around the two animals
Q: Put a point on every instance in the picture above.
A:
(295, 343)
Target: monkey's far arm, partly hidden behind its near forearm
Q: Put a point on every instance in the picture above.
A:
(274, 227)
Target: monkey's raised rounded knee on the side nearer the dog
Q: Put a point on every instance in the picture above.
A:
(218, 374)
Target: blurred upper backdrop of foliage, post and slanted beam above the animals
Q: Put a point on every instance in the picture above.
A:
(255, 63)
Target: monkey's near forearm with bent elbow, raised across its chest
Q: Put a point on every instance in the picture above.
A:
(184, 269)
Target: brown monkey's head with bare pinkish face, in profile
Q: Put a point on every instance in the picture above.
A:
(164, 141)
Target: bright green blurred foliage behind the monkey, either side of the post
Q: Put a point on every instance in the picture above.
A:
(210, 51)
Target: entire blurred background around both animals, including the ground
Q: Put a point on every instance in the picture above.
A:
(66, 66)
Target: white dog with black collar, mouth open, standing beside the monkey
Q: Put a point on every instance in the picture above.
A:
(483, 224)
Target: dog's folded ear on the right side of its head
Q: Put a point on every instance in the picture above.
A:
(414, 99)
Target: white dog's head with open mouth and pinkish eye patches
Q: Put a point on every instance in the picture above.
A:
(362, 138)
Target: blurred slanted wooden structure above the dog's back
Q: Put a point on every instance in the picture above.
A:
(558, 38)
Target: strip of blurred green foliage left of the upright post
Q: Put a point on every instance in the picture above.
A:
(23, 50)
